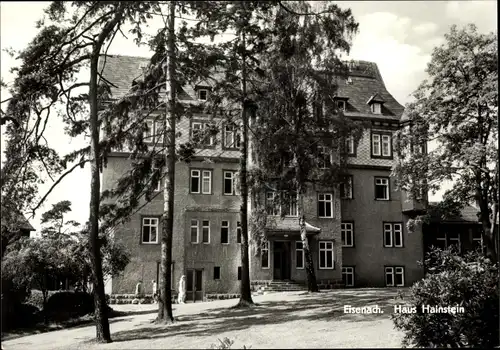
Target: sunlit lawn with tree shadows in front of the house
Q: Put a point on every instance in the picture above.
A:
(279, 320)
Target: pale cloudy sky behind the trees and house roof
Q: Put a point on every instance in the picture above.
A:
(397, 35)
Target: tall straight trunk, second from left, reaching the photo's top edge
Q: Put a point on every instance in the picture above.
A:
(165, 314)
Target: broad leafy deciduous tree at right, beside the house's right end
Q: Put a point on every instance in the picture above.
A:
(456, 109)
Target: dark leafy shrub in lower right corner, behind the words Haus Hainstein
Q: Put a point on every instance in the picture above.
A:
(470, 282)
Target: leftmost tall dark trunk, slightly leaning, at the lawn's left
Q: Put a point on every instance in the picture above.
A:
(101, 317)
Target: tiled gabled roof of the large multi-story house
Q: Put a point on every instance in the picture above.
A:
(120, 71)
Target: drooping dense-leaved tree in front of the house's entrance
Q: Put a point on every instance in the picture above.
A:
(299, 133)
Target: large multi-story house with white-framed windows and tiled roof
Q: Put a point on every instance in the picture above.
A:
(357, 232)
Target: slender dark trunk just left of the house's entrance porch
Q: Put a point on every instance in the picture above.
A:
(245, 292)
